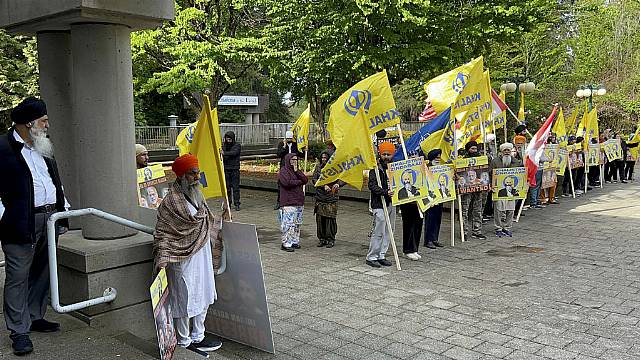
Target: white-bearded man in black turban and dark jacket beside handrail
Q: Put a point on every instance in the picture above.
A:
(31, 191)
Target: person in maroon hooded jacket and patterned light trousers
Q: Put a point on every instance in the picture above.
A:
(290, 181)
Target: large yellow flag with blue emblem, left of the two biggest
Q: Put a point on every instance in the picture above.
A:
(372, 96)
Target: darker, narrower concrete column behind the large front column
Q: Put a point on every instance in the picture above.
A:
(56, 77)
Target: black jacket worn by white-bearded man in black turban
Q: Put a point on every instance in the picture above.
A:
(17, 225)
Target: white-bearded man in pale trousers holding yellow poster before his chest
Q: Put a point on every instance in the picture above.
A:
(504, 209)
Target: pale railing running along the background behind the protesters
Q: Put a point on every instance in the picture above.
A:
(164, 137)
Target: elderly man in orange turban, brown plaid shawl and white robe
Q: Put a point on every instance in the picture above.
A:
(183, 241)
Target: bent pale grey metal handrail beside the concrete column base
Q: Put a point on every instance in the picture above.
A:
(109, 293)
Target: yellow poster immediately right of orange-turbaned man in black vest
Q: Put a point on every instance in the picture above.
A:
(409, 182)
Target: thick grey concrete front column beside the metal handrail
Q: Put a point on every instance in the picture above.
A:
(103, 109)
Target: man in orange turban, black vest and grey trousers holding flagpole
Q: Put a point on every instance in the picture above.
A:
(379, 243)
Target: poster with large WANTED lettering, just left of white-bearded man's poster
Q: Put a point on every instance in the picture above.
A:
(472, 174)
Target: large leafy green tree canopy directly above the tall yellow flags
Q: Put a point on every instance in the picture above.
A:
(323, 47)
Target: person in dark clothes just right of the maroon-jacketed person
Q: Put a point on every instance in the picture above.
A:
(326, 207)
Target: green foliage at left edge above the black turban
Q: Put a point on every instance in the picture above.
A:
(18, 72)
